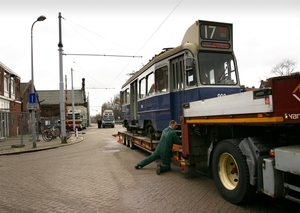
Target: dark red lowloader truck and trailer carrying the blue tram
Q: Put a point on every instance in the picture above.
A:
(248, 142)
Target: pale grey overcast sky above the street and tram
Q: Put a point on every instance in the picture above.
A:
(265, 33)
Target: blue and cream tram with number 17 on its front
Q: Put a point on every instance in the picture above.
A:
(203, 66)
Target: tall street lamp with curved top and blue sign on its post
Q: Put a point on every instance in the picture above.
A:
(41, 18)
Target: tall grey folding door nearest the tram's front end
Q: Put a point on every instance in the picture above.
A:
(177, 90)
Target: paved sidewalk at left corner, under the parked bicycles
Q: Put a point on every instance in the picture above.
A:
(14, 145)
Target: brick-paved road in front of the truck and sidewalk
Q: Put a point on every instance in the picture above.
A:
(98, 175)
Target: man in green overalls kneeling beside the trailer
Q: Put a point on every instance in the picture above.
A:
(164, 149)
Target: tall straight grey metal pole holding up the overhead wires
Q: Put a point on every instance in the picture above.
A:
(62, 105)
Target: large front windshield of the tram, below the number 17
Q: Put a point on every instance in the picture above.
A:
(217, 68)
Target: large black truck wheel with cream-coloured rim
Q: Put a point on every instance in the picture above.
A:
(230, 172)
